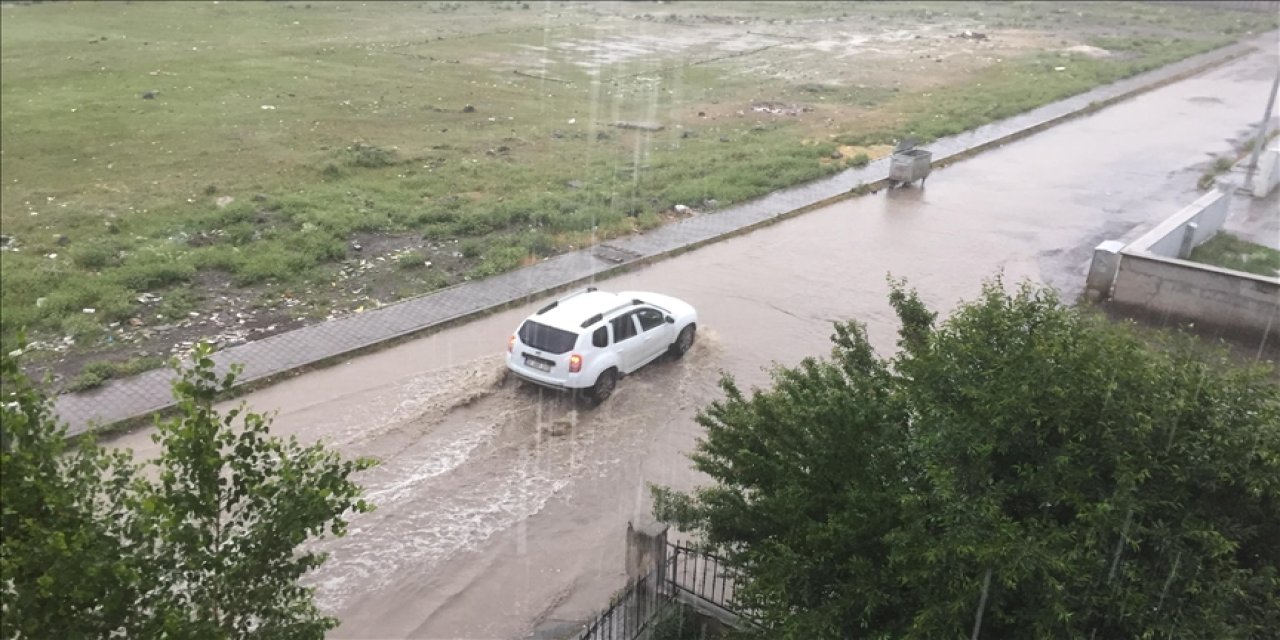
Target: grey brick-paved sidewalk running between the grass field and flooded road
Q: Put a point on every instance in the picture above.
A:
(149, 392)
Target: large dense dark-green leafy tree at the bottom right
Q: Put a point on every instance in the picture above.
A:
(1021, 470)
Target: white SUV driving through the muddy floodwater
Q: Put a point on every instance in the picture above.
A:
(584, 342)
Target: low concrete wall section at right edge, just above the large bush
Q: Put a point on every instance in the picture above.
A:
(1237, 303)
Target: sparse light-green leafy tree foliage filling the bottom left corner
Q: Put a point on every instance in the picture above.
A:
(204, 542)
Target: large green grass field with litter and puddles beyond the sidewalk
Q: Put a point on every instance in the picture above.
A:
(184, 170)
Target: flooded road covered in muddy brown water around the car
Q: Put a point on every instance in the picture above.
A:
(501, 510)
